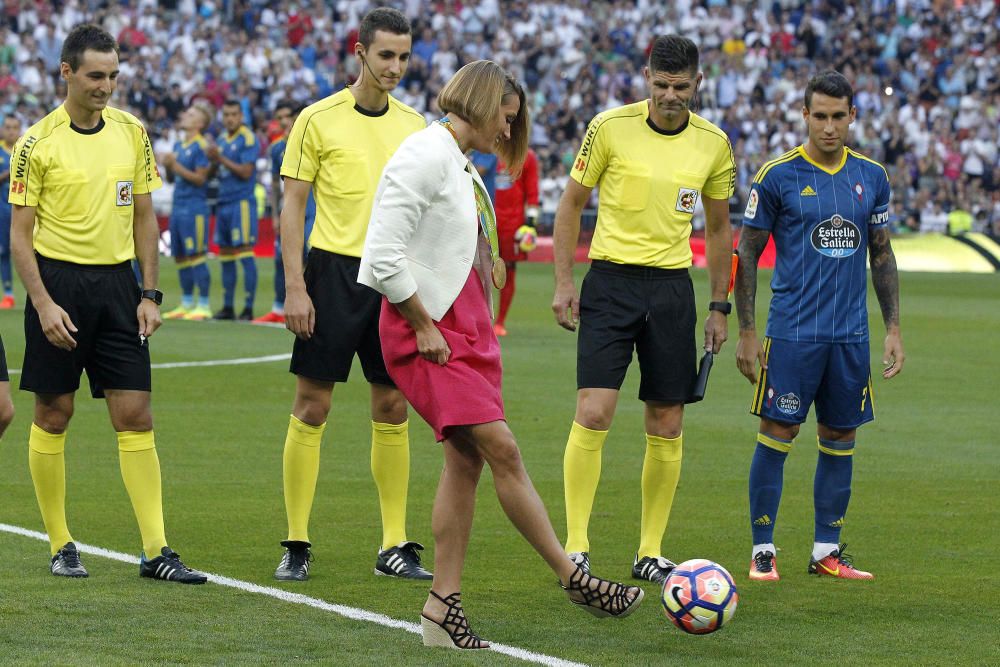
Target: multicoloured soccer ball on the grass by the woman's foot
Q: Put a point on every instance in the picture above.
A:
(699, 596)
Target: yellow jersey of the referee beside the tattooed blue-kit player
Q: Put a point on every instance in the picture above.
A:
(649, 181)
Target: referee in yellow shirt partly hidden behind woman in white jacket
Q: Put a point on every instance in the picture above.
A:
(337, 148)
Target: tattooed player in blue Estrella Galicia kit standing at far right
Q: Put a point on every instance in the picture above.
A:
(826, 207)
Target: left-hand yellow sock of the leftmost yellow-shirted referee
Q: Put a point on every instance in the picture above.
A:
(48, 473)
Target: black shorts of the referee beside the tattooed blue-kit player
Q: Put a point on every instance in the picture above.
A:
(650, 310)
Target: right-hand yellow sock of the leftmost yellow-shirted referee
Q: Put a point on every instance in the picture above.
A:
(141, 472)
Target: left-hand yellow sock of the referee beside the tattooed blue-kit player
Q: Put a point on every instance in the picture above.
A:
(581, 473)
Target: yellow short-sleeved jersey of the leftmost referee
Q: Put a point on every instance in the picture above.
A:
(82, 183)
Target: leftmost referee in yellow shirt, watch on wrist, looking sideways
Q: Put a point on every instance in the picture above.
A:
(80, 187)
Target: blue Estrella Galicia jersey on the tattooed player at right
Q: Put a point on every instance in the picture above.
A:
(820, 220)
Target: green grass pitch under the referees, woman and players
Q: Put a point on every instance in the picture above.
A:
(924, 514)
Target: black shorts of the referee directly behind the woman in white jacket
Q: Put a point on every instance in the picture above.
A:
(346, 323)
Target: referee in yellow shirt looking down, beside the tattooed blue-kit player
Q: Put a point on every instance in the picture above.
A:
(652, 161)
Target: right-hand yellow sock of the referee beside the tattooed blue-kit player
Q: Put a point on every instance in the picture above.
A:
(660, 471)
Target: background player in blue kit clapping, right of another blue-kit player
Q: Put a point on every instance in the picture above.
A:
(235, 156)
